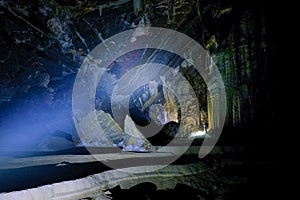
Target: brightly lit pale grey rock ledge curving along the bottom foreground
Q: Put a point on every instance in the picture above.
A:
(93, 186)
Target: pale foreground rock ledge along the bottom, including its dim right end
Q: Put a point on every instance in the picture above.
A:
(196, 175)
